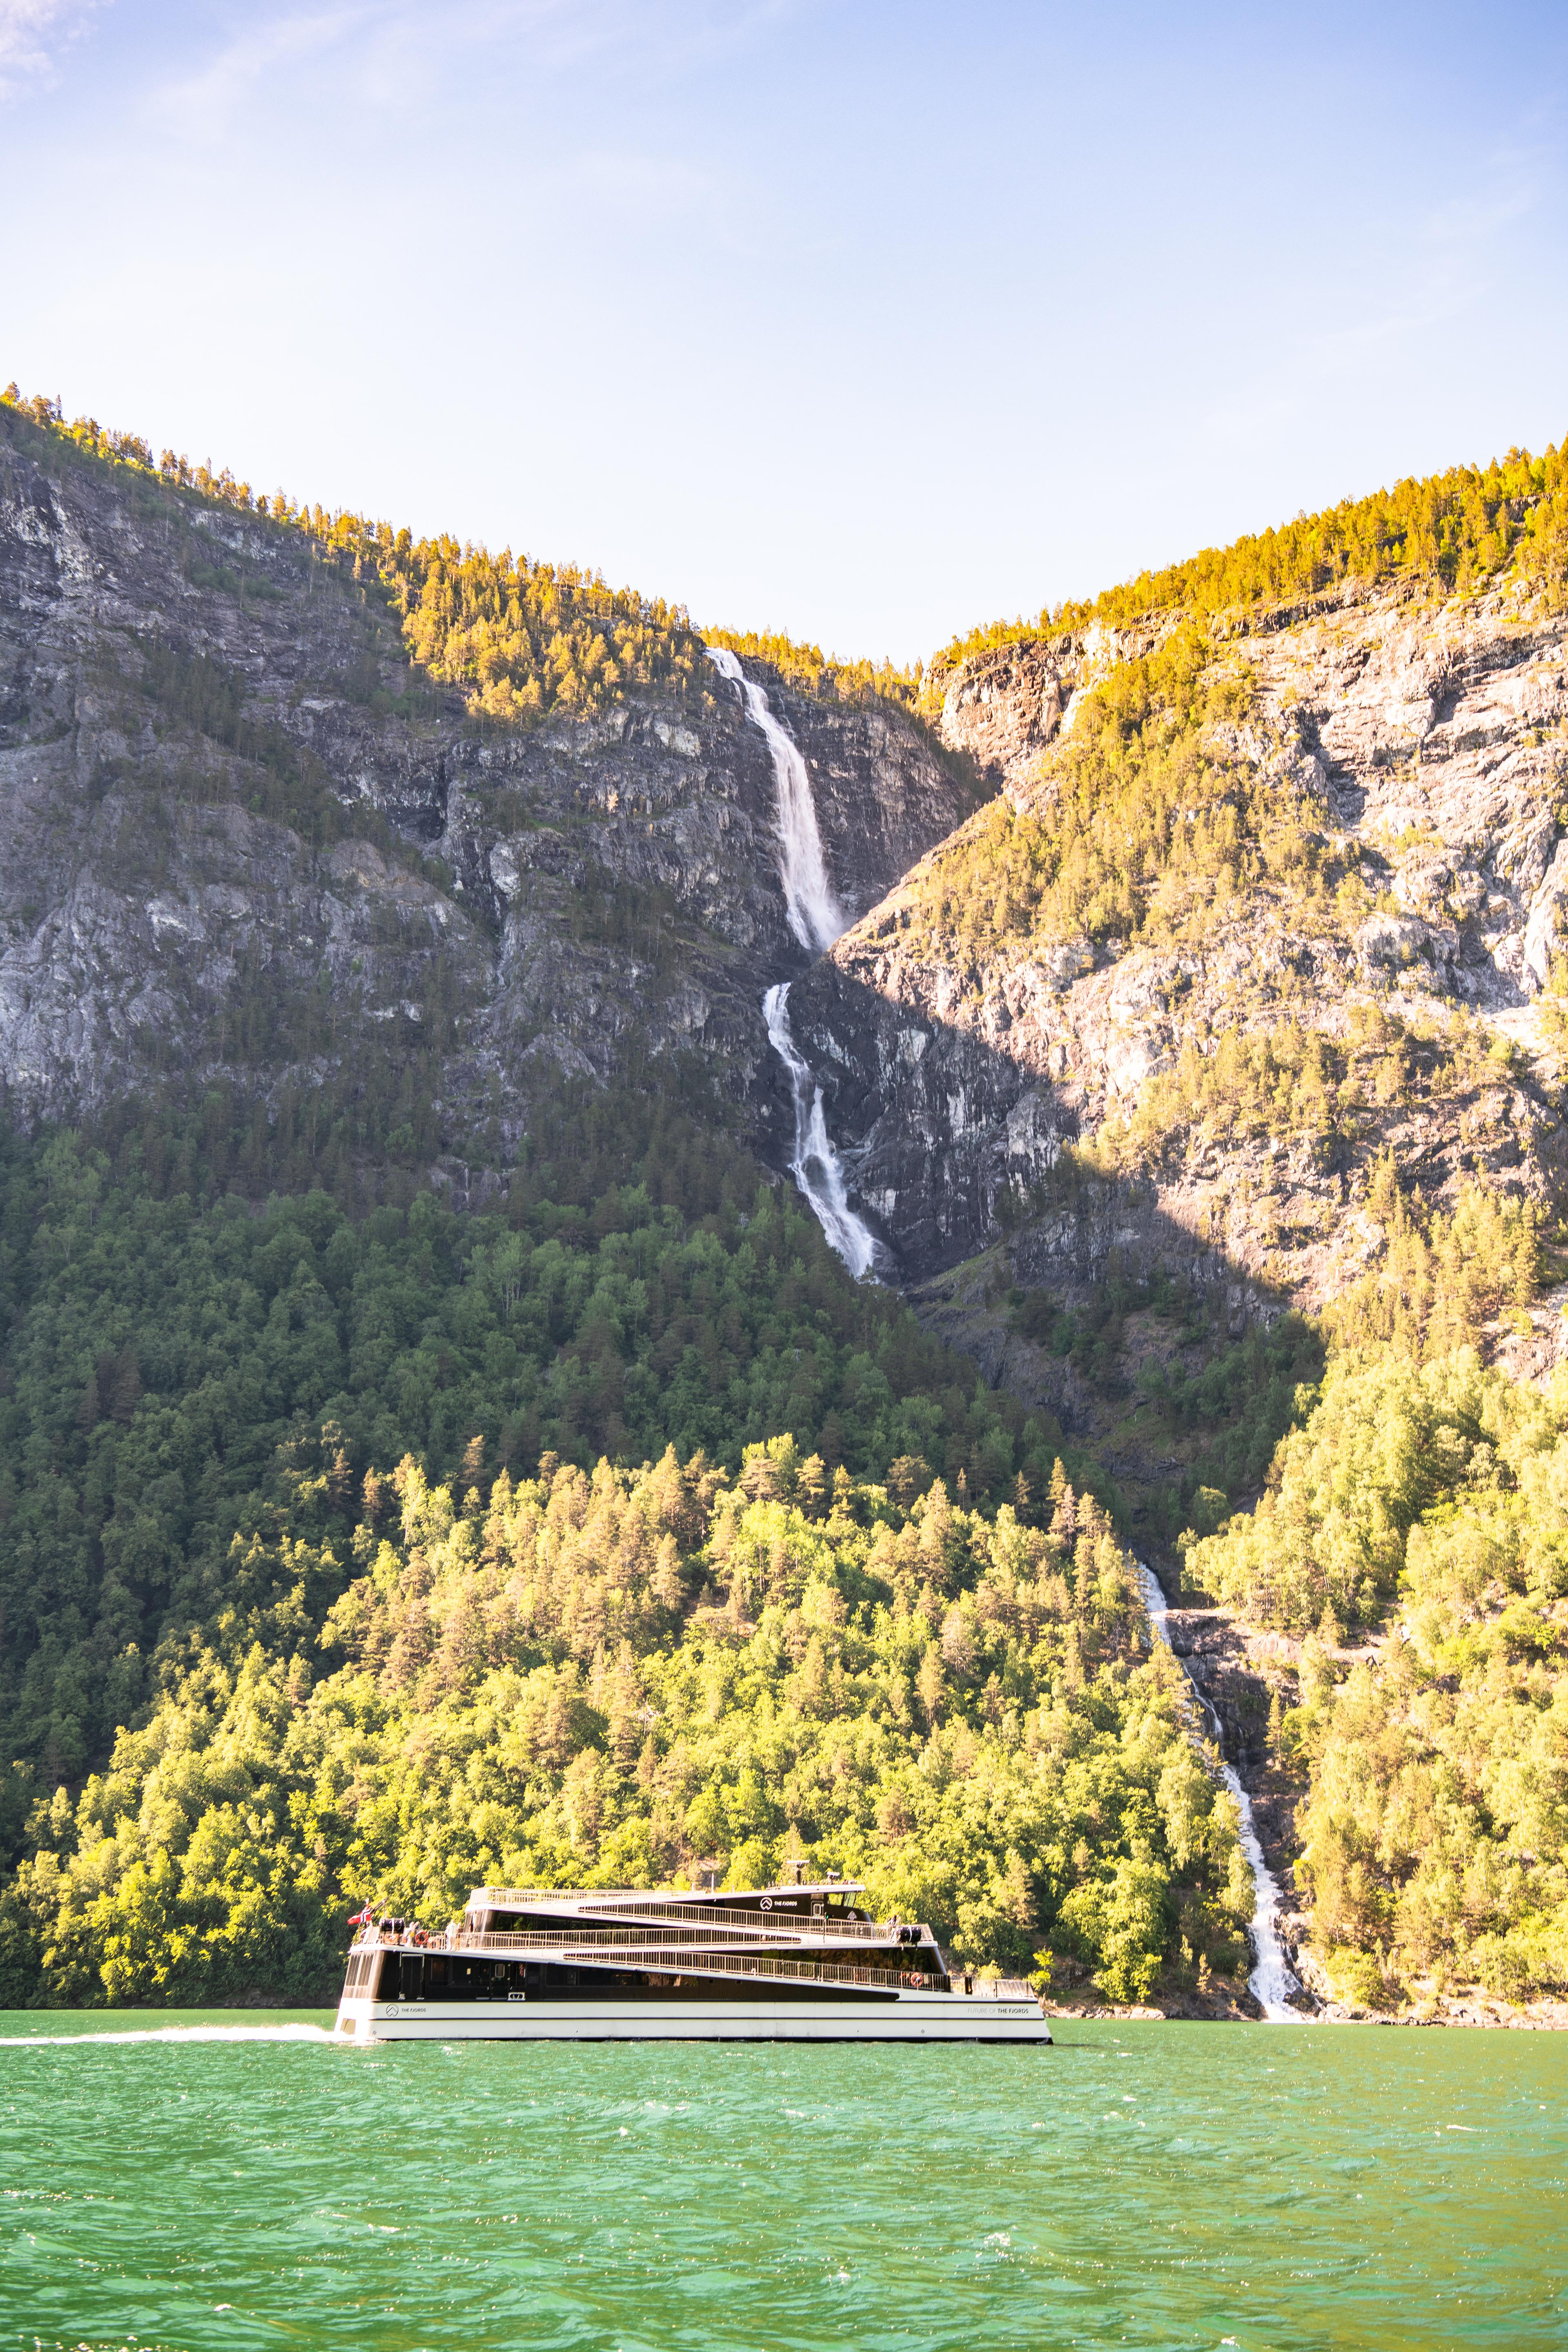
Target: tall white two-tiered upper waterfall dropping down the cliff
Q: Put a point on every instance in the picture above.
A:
(817, 921)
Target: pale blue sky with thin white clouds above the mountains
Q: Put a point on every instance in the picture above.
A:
(836, 316)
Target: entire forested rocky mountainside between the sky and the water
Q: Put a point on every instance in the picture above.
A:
(438, 1441)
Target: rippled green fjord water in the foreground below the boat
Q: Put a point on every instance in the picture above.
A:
(1188, 2186)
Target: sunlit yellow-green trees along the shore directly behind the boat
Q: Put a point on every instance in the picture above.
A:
(610, 1678)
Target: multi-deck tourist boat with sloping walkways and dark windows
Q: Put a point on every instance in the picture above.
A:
(619, 1965)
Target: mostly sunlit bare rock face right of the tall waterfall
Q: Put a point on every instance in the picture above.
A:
(1428, 749)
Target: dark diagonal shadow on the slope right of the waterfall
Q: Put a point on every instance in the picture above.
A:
(1111, 1299)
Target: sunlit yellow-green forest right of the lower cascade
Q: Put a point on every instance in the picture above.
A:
(1426, 1504)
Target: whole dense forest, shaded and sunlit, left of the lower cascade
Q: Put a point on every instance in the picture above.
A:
(246, 1455)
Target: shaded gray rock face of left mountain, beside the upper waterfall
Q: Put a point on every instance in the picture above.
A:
(568, 893)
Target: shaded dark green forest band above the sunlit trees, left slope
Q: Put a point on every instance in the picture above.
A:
(177, 1365)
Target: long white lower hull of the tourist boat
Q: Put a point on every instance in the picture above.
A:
(913, 2017)
